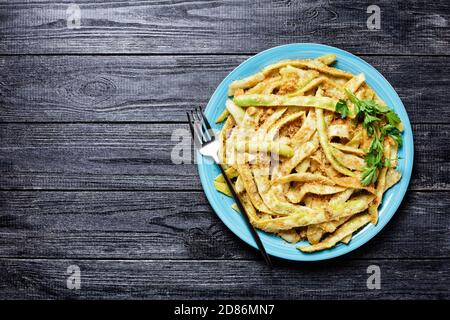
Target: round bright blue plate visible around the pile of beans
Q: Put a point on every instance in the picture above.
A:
(392, 198)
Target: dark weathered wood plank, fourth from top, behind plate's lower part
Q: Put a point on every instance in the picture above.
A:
(182, 225)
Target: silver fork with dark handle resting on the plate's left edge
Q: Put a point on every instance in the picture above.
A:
(205, 139)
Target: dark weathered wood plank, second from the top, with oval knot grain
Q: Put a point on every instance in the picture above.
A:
(162, 88)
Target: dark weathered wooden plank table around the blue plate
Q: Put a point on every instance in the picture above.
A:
(86, 122)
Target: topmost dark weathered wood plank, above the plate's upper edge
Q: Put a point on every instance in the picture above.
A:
(407, 27)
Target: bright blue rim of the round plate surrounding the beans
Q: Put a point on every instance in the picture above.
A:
(368, 232)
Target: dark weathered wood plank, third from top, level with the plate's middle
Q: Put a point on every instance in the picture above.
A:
(138, 156)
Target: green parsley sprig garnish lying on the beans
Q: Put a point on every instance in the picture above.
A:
(379, 122)
